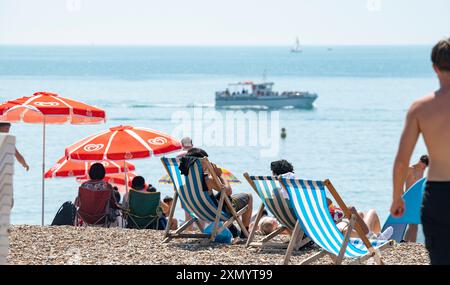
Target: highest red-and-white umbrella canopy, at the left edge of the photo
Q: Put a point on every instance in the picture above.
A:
(50, 108)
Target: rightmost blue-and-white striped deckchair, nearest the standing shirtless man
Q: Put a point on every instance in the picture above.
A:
(308, 199)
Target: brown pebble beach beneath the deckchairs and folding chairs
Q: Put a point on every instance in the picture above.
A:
(36, 245)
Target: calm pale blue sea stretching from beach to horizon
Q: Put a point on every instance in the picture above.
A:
(349, 137)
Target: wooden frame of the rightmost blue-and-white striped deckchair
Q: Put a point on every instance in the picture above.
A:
(337, 259)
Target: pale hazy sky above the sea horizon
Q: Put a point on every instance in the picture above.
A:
(227, 22)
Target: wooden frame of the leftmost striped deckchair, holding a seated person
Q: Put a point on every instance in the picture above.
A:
(178, 233)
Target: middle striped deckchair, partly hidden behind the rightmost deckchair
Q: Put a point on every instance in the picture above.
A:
(268, 189)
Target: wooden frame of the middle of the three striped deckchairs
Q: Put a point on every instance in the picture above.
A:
(265, 242)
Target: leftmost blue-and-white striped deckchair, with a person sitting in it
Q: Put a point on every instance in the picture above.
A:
(197, 202)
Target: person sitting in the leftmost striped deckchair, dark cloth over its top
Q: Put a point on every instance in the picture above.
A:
(239, 201)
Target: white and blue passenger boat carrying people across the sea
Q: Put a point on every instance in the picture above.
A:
(251, 94)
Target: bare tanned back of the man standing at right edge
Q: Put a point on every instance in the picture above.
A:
(432, 114)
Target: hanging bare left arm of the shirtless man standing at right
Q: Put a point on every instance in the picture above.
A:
(408, 141)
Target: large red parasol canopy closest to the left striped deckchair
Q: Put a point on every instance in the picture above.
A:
(123, 143)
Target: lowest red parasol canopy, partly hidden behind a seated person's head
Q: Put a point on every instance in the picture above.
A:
(68, 168)
